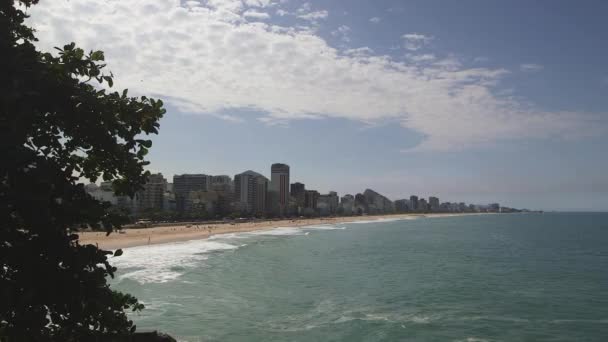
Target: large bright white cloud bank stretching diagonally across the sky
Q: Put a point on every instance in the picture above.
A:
(209, 59)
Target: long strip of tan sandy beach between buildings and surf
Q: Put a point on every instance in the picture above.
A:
(133, 237)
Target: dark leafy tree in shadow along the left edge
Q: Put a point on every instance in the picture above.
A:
(58, 124)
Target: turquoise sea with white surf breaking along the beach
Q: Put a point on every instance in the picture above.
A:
(513, 277)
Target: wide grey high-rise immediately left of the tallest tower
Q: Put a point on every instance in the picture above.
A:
(250, 190)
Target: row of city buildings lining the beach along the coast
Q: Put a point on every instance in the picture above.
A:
(251, 194)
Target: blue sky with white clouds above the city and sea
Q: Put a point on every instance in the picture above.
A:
(471, 100)
